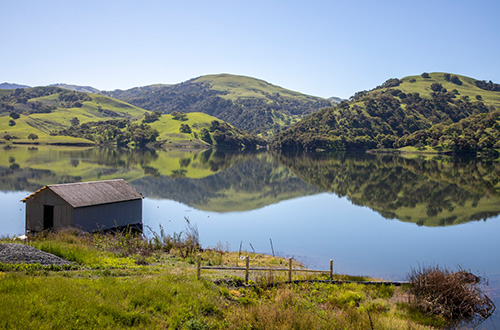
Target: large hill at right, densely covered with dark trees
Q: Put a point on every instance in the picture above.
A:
(387, 115)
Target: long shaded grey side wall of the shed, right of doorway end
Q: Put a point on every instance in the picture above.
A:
(108, 216)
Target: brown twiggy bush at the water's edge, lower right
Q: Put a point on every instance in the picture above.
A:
(454, 295)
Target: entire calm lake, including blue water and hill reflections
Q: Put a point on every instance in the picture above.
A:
(375, 215)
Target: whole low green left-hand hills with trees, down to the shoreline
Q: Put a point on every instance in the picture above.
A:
(59, 116)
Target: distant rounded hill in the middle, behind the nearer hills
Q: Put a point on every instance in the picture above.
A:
(246, 103)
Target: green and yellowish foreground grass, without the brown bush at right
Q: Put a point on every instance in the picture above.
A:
(122, 281)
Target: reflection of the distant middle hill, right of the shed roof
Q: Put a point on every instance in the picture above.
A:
(250, 184)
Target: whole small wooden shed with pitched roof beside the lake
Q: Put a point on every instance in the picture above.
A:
(90, 206)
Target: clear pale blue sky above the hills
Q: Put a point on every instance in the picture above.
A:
(323, 48)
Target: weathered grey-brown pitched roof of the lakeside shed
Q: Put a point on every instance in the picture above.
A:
(92, 193)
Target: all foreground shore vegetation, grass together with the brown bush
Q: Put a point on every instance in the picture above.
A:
(122, 280)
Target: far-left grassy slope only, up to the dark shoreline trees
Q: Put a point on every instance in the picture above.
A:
(44, 111)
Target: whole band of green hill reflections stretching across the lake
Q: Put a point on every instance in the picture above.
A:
(435, 191)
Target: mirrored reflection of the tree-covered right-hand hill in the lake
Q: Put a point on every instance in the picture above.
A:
(435, 192)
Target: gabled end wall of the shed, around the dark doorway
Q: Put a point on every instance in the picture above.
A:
(63, 212)
